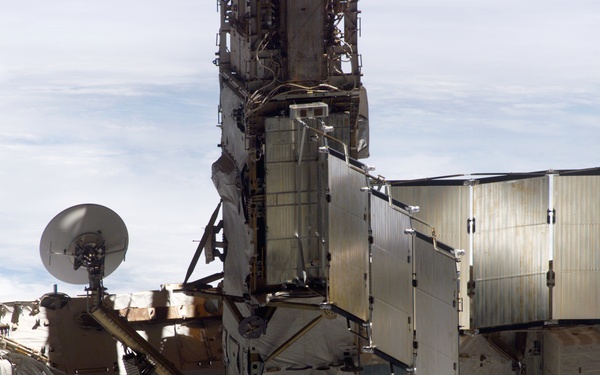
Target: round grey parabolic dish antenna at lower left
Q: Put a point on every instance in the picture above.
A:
(79, 233)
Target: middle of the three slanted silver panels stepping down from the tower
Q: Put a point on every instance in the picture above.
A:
(391, 274)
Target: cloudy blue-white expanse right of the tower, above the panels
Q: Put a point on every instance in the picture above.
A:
(471, 86)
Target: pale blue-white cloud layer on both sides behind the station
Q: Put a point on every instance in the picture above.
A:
(115, 103)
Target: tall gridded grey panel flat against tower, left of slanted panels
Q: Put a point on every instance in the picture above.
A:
(281, 186)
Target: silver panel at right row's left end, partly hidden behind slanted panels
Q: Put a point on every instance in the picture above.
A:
(445, 208)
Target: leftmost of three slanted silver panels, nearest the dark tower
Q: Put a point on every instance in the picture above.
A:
(348, 239)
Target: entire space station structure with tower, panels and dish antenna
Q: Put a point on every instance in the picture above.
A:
(327, 267)
